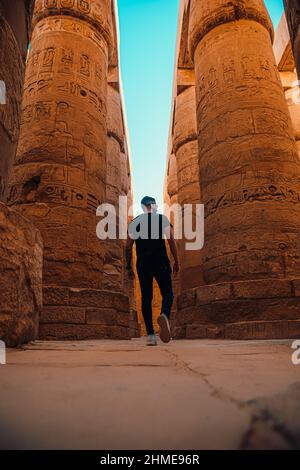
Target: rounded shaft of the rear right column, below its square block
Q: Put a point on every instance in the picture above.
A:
(185, 147)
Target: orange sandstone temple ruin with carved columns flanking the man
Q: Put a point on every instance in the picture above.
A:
(234, 146)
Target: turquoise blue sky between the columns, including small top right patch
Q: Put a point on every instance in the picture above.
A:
(148, 36)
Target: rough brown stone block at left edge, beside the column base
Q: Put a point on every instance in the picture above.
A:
(21, 255)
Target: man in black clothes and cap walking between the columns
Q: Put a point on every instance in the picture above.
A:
(148, 231)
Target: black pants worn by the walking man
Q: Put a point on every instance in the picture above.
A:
(162, 273)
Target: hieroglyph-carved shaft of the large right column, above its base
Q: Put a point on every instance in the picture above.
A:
(245, 137)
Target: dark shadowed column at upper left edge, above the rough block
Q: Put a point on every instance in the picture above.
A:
(15, 21)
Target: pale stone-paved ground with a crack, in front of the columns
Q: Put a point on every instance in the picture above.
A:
(196, 394)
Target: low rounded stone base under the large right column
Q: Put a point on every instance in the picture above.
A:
(246, 310)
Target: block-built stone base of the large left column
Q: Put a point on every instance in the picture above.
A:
(82, 314)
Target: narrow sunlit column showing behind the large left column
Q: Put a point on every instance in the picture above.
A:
(118, 179)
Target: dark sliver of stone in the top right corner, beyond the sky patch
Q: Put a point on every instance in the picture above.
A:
(292, 10)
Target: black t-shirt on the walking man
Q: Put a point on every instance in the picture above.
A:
(148, 232)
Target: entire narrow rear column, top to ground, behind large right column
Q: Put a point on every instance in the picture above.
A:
(184, 160)
